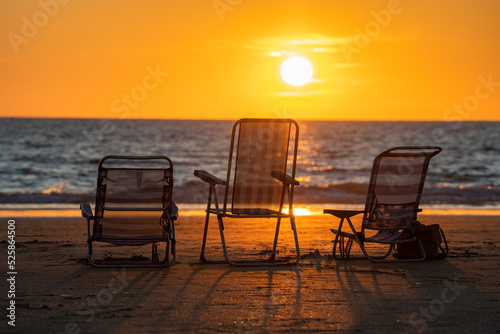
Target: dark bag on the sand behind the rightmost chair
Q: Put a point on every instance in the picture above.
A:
(431, 237)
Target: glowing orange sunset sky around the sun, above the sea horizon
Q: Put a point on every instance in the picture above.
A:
(377, 60)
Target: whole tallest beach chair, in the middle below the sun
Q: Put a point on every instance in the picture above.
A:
(257, 182)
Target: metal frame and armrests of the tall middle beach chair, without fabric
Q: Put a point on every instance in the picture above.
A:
(288, 183)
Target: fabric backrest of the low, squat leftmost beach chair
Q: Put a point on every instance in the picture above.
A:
(127, 183)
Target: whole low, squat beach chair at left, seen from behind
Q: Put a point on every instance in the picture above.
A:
(133, 207)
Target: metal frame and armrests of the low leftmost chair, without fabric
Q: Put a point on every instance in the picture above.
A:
(169, 214)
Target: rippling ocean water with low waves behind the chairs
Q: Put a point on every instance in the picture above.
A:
(54, 161)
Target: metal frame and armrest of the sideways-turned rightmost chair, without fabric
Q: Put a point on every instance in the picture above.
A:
(344, 240)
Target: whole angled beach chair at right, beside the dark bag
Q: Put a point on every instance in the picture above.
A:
(392, 203)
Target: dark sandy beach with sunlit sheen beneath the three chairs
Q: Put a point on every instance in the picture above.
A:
(56, 291)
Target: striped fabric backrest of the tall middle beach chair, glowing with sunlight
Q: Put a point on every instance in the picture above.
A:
(260, 149)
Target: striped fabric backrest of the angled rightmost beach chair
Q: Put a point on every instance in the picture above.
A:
(396, 185)
